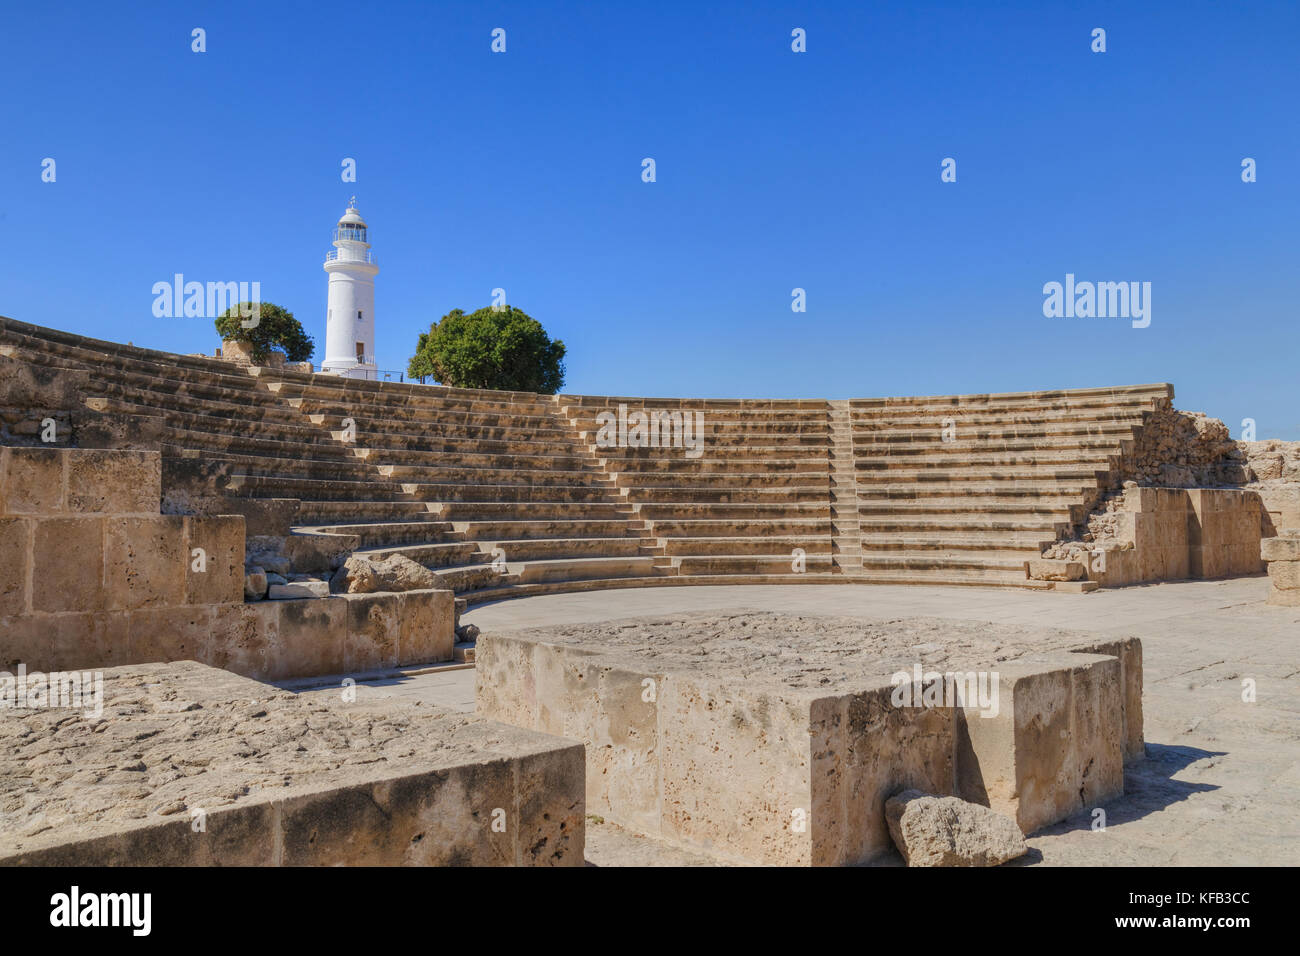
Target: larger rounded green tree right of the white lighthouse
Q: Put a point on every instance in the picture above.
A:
(491, 349)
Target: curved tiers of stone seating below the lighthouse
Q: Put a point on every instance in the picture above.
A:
(505, 494)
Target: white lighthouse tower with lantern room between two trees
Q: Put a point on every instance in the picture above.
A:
(350, 317)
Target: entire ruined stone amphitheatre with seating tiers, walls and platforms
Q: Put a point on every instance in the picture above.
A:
(232, 546)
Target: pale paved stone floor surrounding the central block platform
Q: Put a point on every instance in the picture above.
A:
(1221, 782)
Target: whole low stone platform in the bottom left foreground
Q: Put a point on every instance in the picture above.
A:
(189, 765)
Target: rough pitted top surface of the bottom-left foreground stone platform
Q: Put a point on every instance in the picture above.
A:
(180, 738)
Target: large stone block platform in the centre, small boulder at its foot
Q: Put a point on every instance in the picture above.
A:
(777, 739)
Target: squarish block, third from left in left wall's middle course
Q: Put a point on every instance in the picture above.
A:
(145, 563)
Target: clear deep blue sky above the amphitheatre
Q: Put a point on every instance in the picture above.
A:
(775, 171)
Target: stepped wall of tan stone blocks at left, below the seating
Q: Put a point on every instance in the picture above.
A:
(92, 576)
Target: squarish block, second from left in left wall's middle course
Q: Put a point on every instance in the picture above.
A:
(68, 565)
